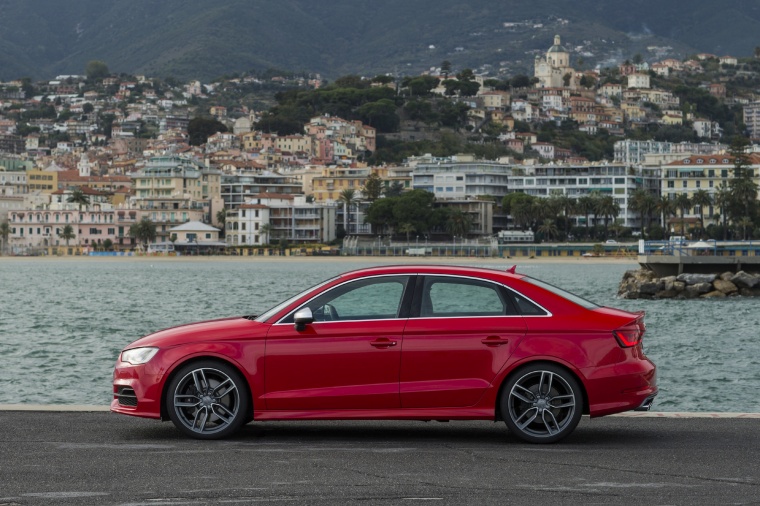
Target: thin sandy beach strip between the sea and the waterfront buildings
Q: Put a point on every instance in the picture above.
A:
(330, 259)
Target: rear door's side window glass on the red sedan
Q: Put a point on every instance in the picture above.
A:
(449, 297)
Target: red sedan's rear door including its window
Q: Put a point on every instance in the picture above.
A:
(462, 332)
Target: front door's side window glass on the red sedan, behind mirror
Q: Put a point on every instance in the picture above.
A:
(365, 299)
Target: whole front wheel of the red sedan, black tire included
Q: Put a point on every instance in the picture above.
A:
(208, 400)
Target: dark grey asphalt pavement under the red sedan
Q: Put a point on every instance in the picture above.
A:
(102, 458)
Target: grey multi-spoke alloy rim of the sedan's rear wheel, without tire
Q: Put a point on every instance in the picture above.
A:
(542, 404)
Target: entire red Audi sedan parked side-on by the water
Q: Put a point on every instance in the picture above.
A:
(397, 343)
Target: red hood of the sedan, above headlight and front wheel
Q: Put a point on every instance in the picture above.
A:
(225, 329)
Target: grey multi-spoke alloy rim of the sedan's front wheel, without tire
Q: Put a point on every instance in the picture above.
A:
(206, 401)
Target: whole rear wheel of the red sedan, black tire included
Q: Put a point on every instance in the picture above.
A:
(541, 403)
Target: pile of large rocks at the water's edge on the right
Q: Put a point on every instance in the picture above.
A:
(644, 284)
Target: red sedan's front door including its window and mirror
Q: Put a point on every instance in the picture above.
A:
(349, 358)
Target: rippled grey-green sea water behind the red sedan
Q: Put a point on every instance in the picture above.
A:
(64, 321)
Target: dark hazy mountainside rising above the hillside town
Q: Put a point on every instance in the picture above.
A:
(191, 38)
